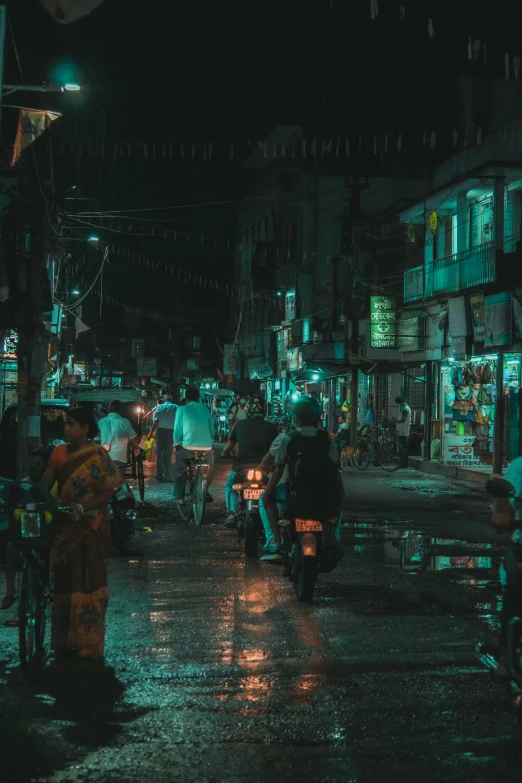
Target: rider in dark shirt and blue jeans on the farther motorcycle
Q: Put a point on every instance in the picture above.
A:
(251, 437)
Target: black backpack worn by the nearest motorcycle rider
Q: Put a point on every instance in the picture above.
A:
(314, 490)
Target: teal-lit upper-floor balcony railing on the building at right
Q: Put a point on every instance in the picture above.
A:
(472, 267)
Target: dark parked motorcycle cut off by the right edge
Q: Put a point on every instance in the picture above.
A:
(506, 661)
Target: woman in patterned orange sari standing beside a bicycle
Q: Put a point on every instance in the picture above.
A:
(87, 479)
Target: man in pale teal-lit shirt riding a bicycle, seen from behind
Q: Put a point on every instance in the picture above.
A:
(193, 431)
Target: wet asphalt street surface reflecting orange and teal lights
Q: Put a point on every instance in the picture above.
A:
(215, 673)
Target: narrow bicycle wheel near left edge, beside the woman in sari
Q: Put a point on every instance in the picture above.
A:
(32, 616)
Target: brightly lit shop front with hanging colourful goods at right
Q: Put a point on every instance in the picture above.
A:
(468, 401)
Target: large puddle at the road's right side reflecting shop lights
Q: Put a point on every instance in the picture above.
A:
(411, 550)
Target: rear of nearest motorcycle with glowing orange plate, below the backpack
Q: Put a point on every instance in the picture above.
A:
(308, 548)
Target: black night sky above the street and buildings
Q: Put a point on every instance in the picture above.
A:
(198, 70)
